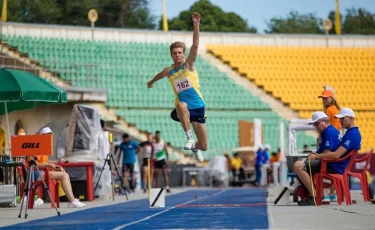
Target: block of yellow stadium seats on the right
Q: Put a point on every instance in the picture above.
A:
(296, 76)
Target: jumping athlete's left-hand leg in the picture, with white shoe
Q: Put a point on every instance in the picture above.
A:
(184, 116)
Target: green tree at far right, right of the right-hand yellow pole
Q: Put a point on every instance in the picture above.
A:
(358, 21)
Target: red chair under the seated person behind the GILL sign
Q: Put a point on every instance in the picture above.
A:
(52, 185)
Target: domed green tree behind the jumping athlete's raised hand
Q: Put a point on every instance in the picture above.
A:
(213, 19)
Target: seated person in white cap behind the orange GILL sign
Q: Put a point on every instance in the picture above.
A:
(57, 173)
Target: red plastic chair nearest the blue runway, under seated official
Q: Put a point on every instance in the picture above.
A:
(339, 180)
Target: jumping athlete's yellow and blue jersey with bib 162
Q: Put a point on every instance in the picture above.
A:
(185, 85)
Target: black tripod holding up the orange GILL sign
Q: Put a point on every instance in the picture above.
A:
(30, 183)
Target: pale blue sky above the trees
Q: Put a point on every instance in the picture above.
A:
(257, 12)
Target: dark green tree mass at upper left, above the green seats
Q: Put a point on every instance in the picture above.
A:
(112, 13)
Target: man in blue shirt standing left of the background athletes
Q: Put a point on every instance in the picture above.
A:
(129, 149)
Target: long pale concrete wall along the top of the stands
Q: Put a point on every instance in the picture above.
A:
(155, 36)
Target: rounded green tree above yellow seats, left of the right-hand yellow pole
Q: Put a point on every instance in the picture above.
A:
(295, 23)
